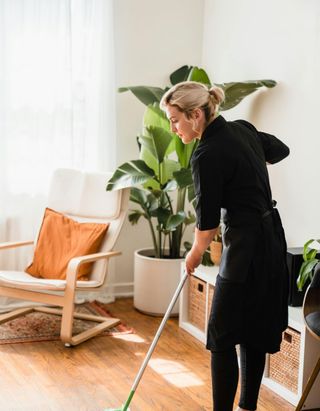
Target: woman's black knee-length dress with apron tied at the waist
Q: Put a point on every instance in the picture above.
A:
(231, 183)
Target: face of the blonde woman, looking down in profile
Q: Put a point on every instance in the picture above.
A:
(181, 125)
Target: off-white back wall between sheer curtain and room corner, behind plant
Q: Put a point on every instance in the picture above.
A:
(152, 39)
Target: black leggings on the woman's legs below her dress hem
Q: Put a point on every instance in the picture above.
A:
(225, 374)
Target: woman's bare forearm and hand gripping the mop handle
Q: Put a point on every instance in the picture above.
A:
(201, 242)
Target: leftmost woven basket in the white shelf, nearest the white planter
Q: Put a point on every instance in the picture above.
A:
(197, 302)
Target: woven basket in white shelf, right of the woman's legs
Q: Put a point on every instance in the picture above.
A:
(284, 365)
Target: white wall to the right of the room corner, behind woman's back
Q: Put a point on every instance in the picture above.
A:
(279, 40)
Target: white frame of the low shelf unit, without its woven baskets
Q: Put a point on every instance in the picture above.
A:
(309, 349)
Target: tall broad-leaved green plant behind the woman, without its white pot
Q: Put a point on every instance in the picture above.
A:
(160, 180)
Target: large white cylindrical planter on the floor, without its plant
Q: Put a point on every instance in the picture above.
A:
(155, 281)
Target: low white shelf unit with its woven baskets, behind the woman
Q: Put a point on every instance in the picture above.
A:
(286, 372)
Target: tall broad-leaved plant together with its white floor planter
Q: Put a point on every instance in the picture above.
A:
(161, 185)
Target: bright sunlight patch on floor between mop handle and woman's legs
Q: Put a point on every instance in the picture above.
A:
(175, 373)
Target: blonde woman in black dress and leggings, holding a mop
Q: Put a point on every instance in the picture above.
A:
(231, 183)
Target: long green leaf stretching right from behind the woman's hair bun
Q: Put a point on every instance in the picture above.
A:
(235, 92)
